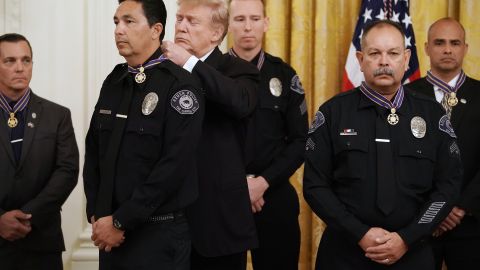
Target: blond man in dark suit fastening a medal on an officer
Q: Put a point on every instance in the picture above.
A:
(223, 228)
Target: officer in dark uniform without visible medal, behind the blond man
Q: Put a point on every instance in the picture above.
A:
(278, 138)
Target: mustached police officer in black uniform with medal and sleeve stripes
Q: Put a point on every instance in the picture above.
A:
(382, 165)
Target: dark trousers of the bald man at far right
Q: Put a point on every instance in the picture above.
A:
(460, 247)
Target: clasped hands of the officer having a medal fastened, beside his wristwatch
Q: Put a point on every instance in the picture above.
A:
(104, 235)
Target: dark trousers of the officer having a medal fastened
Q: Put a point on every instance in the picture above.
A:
(164, 245)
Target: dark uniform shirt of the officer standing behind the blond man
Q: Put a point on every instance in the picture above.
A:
(280, 122)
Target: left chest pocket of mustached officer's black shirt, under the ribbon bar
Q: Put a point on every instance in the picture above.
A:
(351, 157)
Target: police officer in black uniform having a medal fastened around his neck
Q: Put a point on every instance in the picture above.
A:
(140, 170)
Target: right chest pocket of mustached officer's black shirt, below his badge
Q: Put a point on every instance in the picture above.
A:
(417, 161)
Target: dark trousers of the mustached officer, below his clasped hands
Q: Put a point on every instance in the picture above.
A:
(339, 252)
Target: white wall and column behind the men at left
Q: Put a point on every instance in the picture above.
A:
(74, 50)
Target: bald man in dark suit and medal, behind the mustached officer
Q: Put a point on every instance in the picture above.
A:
(458, 236)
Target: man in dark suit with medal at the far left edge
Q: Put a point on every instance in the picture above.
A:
(38, 164)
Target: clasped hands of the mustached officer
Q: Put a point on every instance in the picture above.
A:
(382, 246)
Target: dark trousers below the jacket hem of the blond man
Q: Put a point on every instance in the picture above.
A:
(237, 261)
